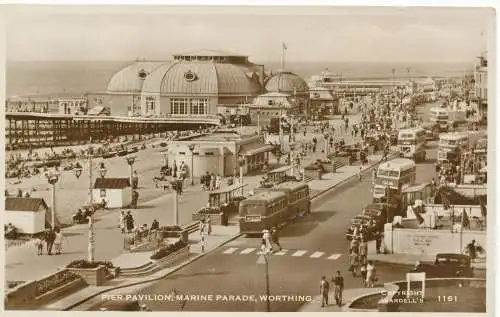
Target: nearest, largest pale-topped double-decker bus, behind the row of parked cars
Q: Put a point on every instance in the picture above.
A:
(392, 177)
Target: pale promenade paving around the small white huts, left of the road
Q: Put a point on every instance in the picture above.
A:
(154, 204)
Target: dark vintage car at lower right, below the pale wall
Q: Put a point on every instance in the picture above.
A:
(446, 265)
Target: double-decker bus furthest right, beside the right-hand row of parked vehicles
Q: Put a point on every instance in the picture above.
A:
(451, 147)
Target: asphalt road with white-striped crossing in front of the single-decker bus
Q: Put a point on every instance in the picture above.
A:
(233, 269)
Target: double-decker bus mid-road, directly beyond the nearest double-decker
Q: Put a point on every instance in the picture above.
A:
(411, 143)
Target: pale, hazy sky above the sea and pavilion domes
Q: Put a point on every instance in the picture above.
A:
(311, 34)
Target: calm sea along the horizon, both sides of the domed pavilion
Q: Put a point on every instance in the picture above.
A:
(53, 78)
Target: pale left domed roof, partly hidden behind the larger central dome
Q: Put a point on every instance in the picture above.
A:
(132, 77)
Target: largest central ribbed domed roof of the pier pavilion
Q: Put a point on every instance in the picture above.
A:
(200, 78)
